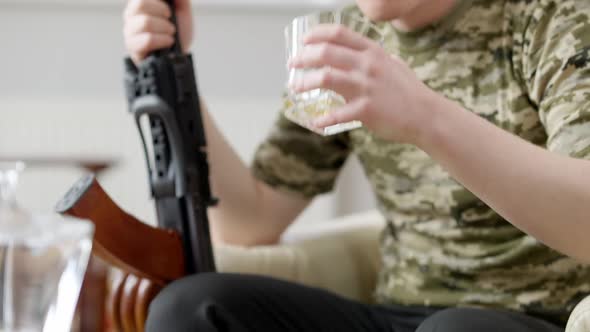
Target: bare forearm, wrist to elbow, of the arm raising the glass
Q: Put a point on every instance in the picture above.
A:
(542, 193)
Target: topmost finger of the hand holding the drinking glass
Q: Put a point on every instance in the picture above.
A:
(339, 35)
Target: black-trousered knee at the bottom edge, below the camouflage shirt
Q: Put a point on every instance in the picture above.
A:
(458, 320)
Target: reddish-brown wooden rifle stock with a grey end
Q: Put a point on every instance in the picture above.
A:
(122, 240)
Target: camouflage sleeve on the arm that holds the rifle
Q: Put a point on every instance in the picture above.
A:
(297, 160)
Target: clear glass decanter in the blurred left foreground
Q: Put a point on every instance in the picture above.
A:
(42, 263)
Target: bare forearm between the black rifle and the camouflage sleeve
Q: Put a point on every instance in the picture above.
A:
(243, 215)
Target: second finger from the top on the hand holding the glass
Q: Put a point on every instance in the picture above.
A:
(324, 54)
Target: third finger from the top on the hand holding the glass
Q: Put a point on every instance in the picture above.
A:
(347, 84)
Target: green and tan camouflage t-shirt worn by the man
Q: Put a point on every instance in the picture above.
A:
(523, 66)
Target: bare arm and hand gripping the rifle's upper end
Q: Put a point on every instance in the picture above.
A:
(250, 212)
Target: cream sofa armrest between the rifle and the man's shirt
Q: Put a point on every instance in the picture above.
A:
(340, 255)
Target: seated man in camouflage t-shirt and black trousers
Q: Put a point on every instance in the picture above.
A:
(450, 109)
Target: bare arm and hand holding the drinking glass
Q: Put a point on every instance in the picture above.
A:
(541, 192)
